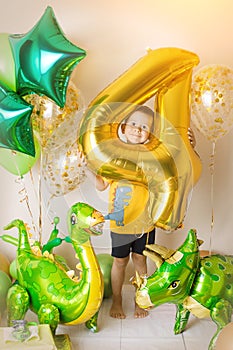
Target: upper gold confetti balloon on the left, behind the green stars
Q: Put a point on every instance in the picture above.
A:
(53, 125)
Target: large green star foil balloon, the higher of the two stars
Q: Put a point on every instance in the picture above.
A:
(44, 59)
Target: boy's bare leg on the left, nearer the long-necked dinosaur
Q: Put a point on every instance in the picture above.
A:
(117, 277)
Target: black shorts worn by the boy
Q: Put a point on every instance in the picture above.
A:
(123, 244)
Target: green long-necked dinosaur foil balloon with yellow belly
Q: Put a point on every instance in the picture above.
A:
(44, 284)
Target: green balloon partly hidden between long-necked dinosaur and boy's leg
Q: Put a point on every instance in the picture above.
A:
(105, 262)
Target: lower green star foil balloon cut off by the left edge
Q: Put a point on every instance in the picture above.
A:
(15, 127)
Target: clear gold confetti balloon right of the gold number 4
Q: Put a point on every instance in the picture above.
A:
(212, 101)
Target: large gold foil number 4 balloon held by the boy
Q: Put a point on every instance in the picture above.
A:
(160, 173)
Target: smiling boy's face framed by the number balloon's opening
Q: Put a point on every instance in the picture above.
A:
(138, 127)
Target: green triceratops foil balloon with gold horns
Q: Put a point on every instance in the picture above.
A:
(201, 286)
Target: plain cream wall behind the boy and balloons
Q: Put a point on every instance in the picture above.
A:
(115, 35)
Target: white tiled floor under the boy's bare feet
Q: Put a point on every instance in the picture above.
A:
(154, 332)
